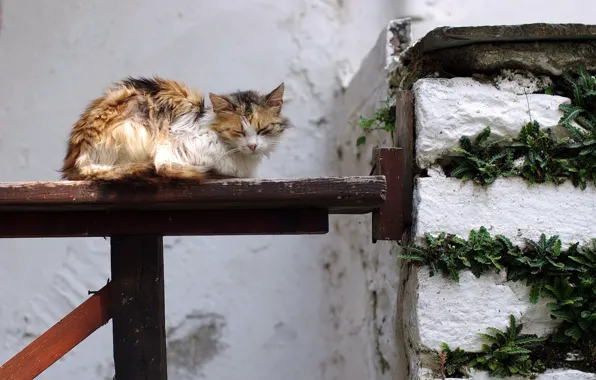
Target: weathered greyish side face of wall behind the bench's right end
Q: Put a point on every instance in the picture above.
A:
(364, 274)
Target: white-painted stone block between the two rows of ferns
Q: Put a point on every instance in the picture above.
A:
(510, 206)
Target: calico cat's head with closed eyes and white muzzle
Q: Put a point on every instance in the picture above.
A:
(249, 121)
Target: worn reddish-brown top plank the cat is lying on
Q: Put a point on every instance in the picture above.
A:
(338, 195)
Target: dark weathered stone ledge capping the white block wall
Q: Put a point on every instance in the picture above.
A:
(462, 51)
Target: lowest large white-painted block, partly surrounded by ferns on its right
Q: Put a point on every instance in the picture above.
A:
(456, 312)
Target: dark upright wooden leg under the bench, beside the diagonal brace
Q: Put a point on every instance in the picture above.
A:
(138, 309)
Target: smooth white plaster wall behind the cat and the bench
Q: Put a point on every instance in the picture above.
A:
(237, 307)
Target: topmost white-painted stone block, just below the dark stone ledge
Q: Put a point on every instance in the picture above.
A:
(446, 109)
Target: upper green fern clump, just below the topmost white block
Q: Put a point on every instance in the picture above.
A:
(543, 158)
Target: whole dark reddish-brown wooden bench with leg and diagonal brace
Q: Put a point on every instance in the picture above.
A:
(136, 217)
